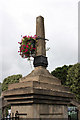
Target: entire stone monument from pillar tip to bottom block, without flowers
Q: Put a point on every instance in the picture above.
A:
(39, 94)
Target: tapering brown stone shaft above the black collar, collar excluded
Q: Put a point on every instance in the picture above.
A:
(41, 33)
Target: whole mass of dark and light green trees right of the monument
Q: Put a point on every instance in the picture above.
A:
(69, 76)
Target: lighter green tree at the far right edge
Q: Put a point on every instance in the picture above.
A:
(73, 80)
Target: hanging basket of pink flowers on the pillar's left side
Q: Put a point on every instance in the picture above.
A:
(27, 47)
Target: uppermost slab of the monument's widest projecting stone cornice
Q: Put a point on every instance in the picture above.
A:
(28, 91)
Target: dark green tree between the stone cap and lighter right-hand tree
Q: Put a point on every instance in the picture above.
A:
(61, 73)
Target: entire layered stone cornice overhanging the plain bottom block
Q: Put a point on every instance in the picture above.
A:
(37, 95)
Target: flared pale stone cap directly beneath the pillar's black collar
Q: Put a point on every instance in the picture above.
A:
(40, 74)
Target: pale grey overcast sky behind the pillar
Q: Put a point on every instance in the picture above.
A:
(18, 17)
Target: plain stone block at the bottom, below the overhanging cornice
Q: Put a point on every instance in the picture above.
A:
(41, 111)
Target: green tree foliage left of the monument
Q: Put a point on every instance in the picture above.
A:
(10, 80)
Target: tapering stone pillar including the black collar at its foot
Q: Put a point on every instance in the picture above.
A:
(40, 59)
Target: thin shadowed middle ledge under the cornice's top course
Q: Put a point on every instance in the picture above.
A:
(35, 96)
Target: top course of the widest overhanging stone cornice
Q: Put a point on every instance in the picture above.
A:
(29, 90)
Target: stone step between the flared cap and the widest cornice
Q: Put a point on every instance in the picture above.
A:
(39, 85)
